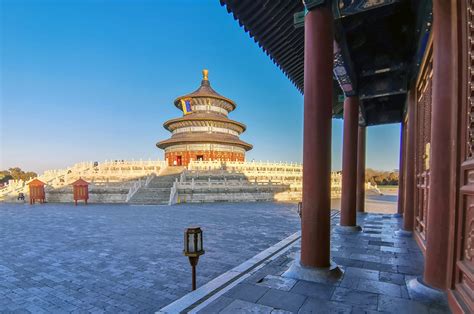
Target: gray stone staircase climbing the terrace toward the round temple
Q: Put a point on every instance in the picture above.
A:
(158, 189)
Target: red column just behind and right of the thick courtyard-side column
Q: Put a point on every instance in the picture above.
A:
(349, 162)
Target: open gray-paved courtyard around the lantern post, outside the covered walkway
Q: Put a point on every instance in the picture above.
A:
(61, 258)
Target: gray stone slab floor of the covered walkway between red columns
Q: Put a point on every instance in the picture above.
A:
(377, 266)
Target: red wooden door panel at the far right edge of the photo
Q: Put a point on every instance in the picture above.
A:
(463, 266)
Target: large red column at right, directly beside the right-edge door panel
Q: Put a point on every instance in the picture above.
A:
(441, 179)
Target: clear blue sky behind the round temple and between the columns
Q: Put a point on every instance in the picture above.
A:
(89, 80)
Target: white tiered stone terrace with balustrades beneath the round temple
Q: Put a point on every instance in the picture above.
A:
(204, 181)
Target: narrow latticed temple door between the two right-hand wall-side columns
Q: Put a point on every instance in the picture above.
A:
(422, 144)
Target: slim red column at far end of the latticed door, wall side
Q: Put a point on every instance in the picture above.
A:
(409, 186)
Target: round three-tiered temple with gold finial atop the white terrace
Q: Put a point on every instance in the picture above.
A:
(204, 132)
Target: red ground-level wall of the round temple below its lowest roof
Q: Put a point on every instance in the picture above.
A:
(186, 156)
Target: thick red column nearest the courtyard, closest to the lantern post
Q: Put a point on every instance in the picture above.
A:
(318, 65)
